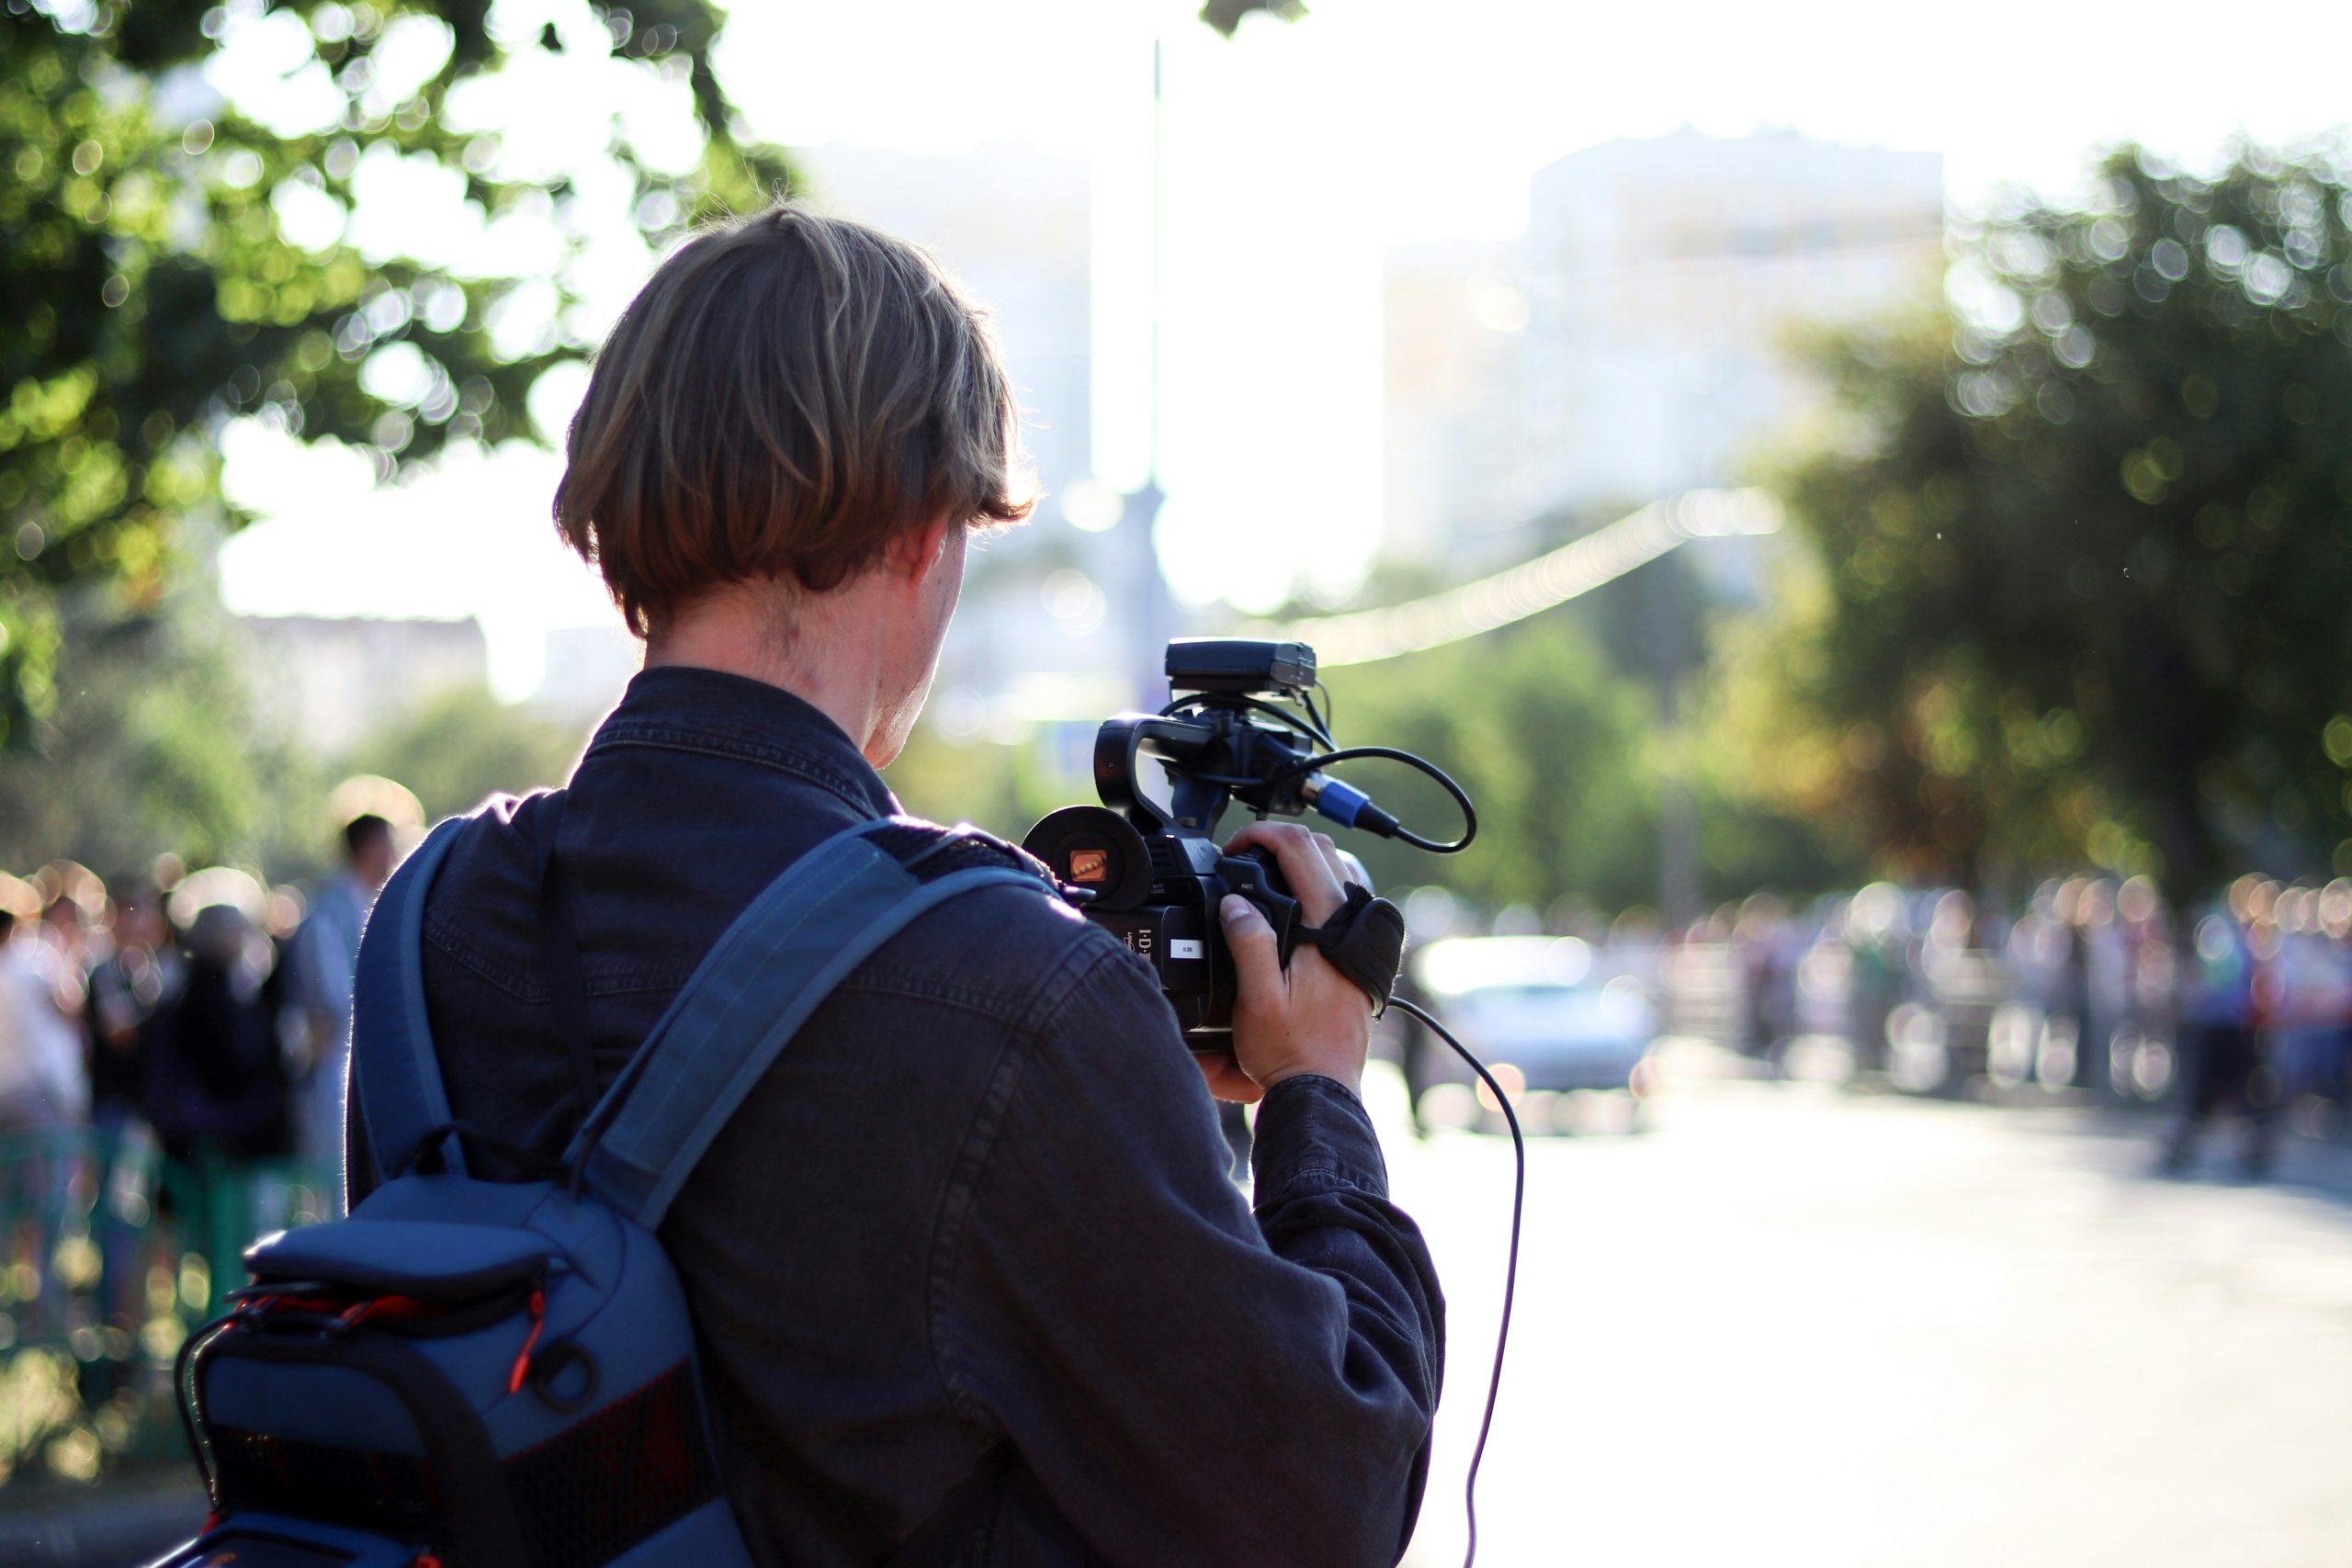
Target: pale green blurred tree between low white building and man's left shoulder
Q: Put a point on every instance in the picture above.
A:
(465, 746)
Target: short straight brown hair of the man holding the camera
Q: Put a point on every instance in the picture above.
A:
(784, 398)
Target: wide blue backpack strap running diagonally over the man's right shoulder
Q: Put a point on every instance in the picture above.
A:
(759, 984)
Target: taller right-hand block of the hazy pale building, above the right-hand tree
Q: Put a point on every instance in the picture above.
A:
(1666, 279)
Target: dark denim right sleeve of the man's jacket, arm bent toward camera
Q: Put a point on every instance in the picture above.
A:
(1189, 1381)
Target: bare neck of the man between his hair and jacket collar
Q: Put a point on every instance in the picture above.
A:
(827, 655)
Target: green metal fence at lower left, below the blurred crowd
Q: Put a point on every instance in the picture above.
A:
(109, 1257)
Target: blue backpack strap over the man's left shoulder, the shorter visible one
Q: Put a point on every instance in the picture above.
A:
(392, 1045)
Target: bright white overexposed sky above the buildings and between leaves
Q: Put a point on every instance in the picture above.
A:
(1292, 156)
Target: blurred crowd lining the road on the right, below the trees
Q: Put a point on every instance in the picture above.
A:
(2243, 1003)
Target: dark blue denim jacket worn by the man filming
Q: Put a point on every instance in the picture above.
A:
(980, 1200)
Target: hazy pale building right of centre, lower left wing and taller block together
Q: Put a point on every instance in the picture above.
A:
(1636, 342)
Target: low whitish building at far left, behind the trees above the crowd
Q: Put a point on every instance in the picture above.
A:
(333, 683)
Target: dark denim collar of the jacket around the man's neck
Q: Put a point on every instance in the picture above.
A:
(733, 716)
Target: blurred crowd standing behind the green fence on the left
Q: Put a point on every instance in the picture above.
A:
(201, 1010)
